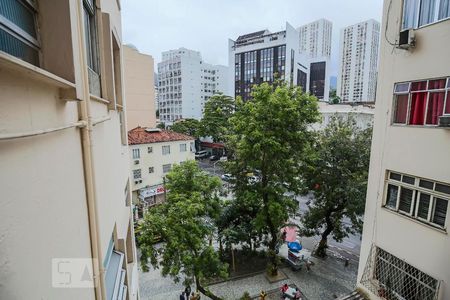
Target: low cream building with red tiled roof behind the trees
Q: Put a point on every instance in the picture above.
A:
(153, 152)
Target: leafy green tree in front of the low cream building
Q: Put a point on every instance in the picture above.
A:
(185, 223)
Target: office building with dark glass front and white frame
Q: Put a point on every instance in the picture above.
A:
(263, 56)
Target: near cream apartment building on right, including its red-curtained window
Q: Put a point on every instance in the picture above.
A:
(405, 241)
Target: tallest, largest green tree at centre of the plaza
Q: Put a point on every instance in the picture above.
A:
(270, 134)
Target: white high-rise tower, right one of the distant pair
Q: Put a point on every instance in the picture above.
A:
(358, 51)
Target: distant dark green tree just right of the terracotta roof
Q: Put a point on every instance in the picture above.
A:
(215, 123)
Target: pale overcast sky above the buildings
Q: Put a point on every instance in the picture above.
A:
(154, 26)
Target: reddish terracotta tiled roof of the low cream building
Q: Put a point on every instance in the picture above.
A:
(139, 135)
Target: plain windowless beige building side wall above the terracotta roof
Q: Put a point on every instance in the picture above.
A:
(139, 88)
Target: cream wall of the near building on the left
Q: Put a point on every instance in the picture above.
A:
(44, 212)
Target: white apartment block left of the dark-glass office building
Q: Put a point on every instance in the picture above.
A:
(186, 83)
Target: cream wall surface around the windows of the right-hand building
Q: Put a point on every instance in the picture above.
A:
(417, 150)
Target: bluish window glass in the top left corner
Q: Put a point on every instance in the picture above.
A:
(18, 34)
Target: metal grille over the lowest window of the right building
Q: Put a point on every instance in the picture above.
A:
(392, 278)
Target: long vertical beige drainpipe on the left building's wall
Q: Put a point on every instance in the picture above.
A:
(84, 110)
